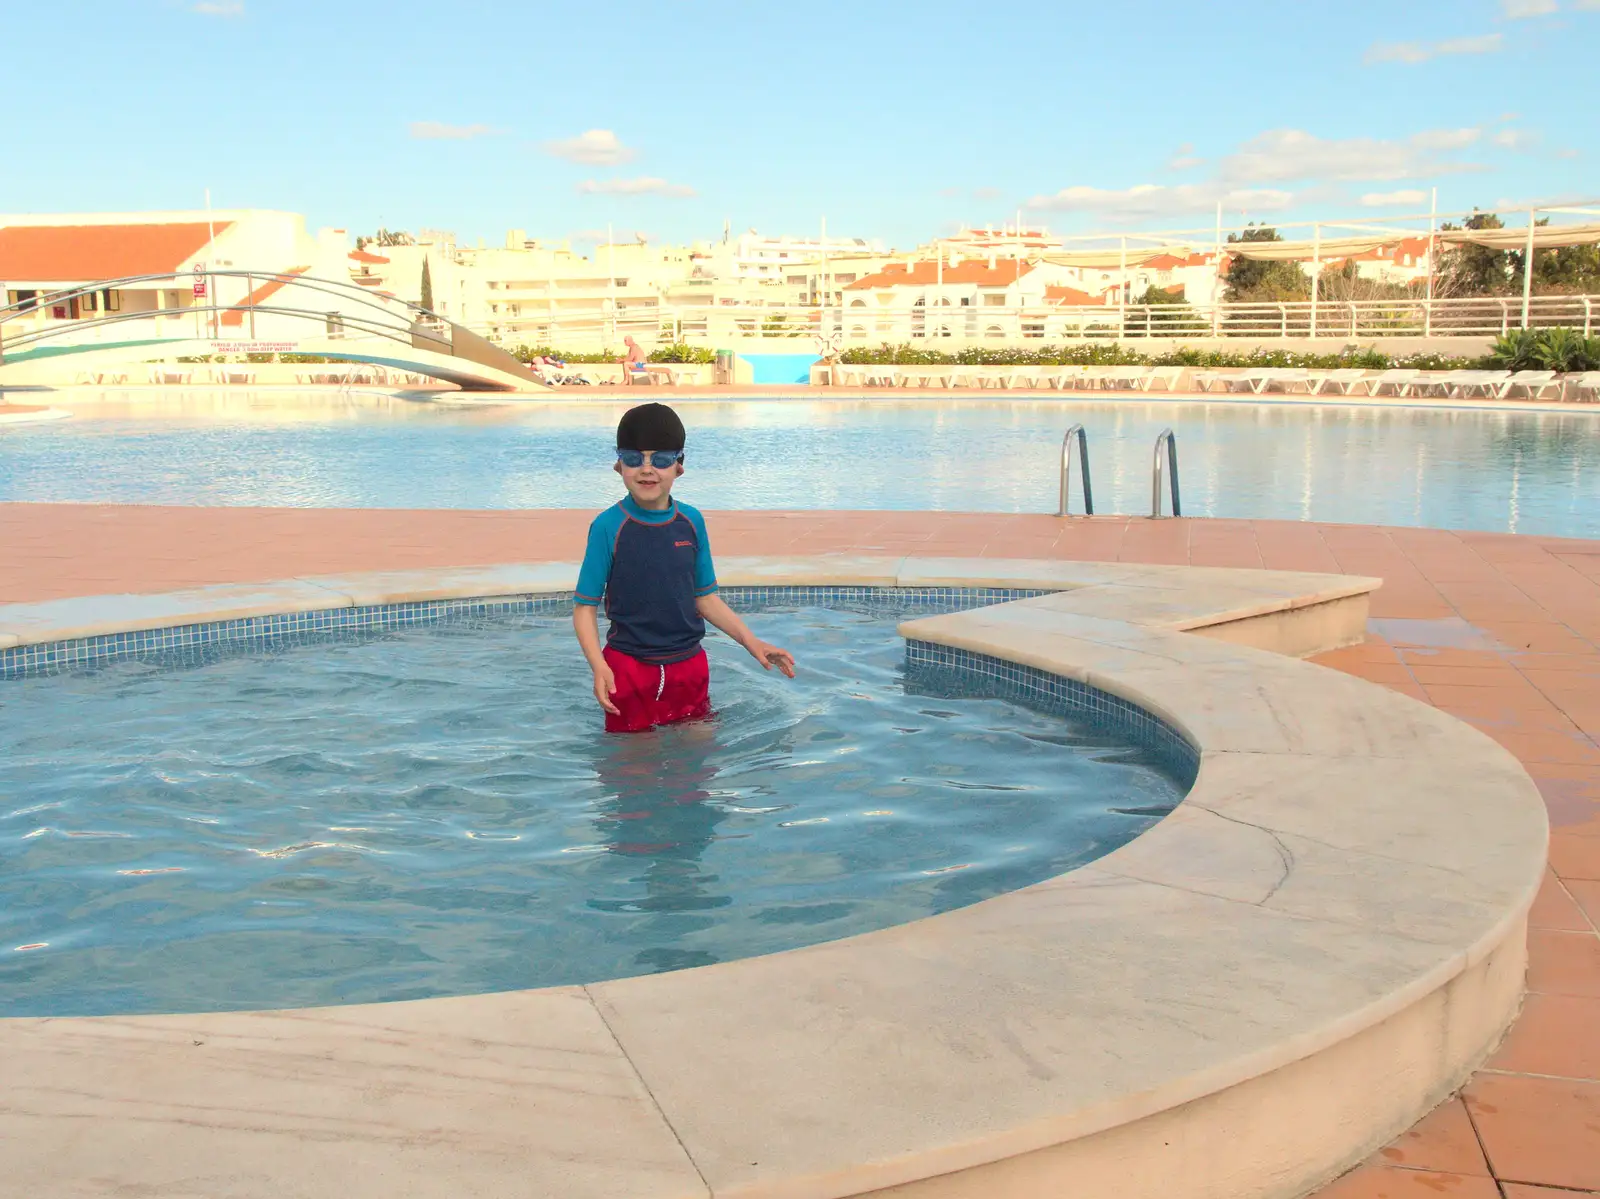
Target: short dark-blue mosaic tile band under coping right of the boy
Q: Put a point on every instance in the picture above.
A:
(950, 672)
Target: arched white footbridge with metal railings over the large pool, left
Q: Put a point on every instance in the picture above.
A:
(391, 332)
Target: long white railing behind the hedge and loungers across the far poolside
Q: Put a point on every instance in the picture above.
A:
(801, 327)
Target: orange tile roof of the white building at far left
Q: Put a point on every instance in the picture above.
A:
(92, 252)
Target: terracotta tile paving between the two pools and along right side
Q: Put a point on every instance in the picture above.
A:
(1502, 632)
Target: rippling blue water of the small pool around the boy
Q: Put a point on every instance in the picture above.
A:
(439, 812)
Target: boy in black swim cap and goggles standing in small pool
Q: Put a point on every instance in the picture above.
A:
(649, 559)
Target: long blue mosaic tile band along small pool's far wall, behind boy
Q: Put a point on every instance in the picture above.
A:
(209, 641)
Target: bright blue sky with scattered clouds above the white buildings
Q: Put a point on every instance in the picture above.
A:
(887, 121)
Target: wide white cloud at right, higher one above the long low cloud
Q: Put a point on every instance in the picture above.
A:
(1294, 154)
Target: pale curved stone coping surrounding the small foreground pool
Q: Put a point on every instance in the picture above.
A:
(1321, 942)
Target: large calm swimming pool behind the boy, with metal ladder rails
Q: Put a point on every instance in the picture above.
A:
(1449, 468)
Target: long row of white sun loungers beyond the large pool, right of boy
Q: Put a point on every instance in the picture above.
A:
(1497, 385)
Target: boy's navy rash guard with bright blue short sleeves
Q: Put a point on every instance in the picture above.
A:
(649, 567)
